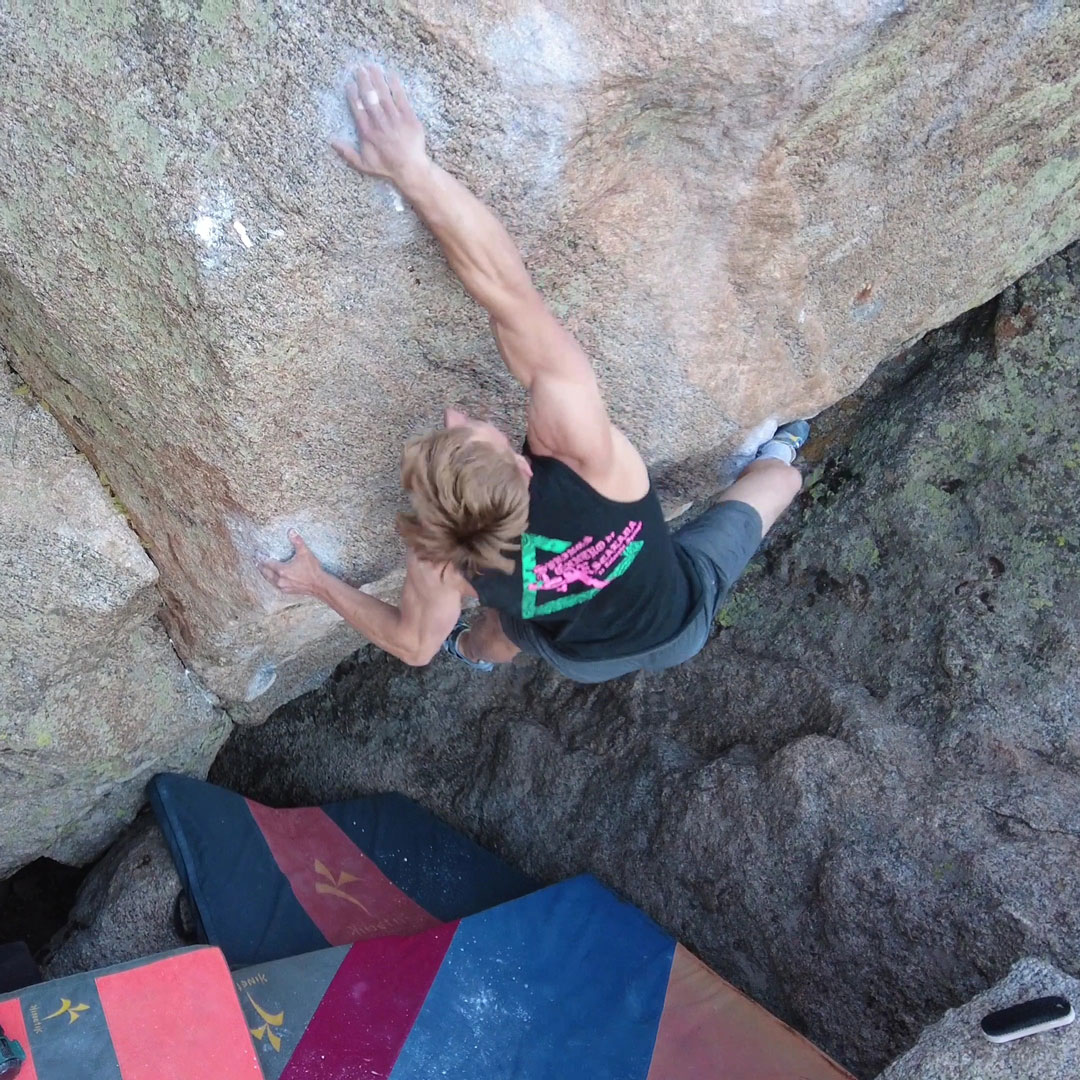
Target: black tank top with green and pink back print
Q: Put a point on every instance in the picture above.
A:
(604, 579)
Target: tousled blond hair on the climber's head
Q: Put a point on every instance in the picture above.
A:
(470, 502)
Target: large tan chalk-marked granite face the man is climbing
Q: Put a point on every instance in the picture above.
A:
(741, 209)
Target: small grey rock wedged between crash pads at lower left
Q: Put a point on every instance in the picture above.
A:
(127, 908)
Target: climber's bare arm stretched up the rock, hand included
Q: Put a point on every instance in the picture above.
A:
(568, 416)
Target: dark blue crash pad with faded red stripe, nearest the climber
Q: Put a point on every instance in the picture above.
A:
(268, 883)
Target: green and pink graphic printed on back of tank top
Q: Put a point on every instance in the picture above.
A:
(592, 564)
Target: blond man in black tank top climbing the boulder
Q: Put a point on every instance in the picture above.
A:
(564, 543)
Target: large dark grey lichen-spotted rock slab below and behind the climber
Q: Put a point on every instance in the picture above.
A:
(861, 804)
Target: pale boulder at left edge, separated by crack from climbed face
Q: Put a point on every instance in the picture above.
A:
(93, 698)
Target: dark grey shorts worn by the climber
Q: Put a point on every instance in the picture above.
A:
(721, 543)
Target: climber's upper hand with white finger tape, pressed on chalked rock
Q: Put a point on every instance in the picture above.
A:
(391, 139)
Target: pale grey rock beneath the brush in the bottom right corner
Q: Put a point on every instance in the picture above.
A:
(955, 1048)
